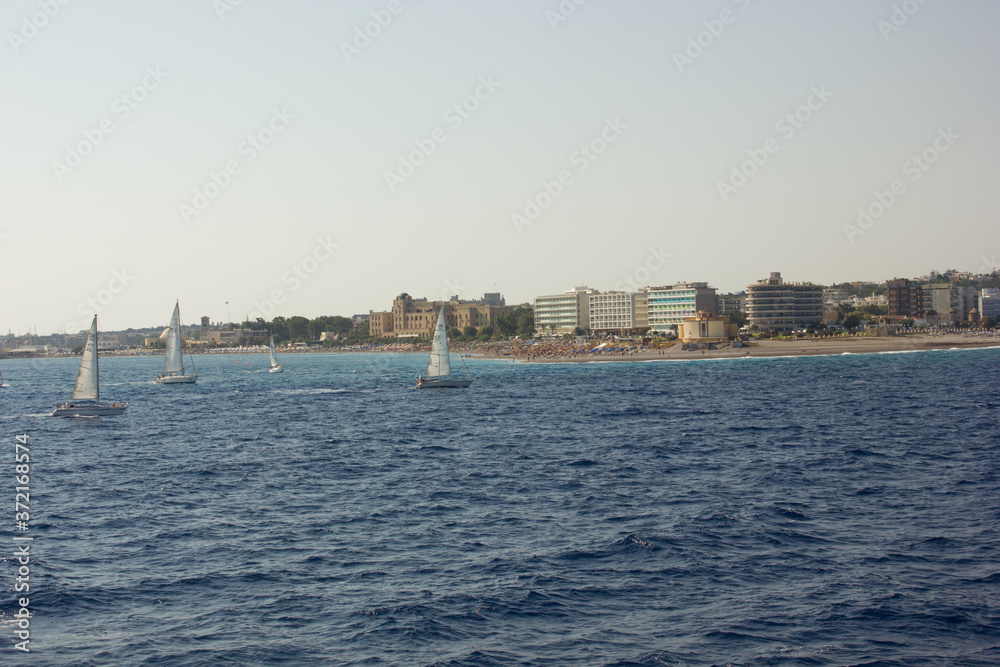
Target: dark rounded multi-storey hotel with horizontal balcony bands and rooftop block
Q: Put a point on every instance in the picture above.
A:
(774, 305)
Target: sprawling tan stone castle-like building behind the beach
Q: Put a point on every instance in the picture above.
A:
(417, 318)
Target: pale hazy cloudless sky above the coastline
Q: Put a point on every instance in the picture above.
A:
(254, 158)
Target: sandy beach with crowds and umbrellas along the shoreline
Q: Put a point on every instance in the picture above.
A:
(767, 348)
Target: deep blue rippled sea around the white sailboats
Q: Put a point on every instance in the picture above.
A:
(837, 510)
